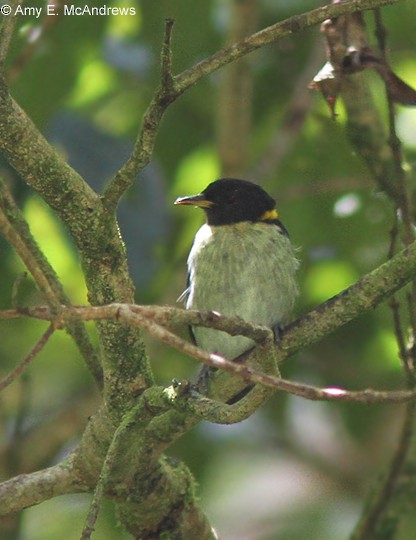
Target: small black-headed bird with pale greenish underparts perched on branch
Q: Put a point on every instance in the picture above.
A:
(242, 263)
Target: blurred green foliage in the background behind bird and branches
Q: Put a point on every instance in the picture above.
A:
(296, 469)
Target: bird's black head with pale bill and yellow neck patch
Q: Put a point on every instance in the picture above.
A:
(229, 200)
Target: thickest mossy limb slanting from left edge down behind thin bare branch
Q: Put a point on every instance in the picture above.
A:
(95, 232)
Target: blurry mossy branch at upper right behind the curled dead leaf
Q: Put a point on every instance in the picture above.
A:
(346, 44)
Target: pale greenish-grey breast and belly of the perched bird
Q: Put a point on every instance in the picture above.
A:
(246, 270)
